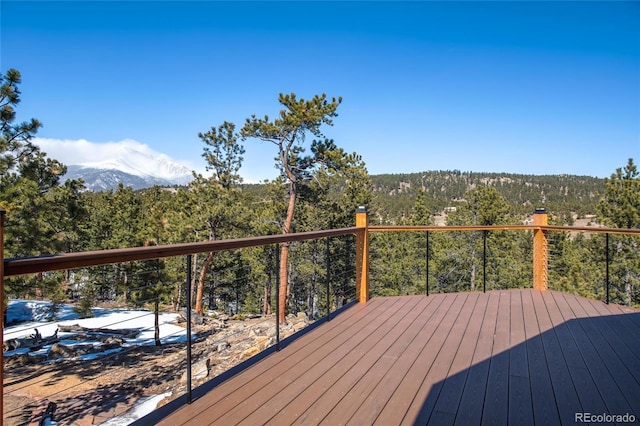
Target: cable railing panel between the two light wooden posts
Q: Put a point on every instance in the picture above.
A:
(424, 262)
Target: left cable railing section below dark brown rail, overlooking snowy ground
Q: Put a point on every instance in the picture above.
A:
(144, 283)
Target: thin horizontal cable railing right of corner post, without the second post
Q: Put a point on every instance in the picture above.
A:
(594, 262)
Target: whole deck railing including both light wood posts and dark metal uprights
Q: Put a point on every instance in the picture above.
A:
(547, 244)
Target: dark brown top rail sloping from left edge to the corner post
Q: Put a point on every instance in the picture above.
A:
(56, 262)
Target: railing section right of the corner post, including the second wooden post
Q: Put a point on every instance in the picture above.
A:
(593, 262)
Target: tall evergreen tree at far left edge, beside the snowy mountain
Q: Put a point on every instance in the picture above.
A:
(40, 215)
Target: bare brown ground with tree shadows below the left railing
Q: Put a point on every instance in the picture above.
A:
(90, 392)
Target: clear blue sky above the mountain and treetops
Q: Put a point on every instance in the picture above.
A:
(519, 87)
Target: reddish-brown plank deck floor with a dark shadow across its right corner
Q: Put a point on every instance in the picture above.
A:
(504, 357)
